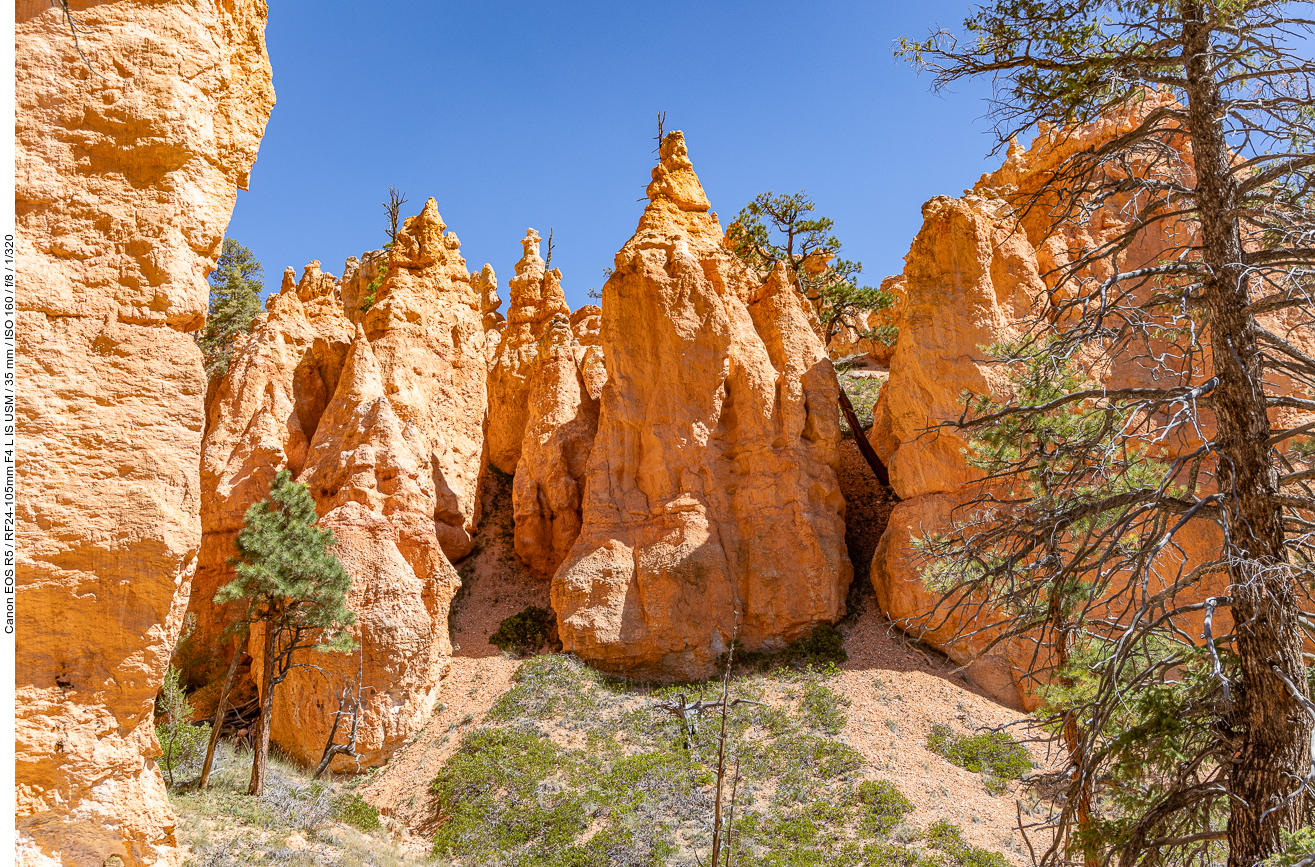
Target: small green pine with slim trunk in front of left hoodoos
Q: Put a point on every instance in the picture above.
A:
(294, 587)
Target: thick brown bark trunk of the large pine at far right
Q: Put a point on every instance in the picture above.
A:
(1274, 745)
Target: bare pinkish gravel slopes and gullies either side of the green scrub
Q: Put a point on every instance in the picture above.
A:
(900, 689)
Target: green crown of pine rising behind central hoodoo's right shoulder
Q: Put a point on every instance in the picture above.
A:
(812, 255)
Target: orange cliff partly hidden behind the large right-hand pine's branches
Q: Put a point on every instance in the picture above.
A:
(975, 276)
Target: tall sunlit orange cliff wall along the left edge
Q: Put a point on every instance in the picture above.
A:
(126, 181)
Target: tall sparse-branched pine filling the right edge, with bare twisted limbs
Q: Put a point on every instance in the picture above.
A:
(1179, 744)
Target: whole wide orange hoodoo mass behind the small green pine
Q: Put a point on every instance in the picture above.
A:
(379, 410)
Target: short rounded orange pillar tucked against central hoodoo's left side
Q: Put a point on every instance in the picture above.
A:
(562, 422)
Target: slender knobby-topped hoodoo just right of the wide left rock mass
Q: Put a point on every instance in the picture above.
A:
(536, 298)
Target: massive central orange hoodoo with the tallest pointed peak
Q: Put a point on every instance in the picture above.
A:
(712, 507)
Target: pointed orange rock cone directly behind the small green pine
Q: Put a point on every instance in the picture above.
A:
(371, 476)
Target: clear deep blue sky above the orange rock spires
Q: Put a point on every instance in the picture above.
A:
(542, 115)
